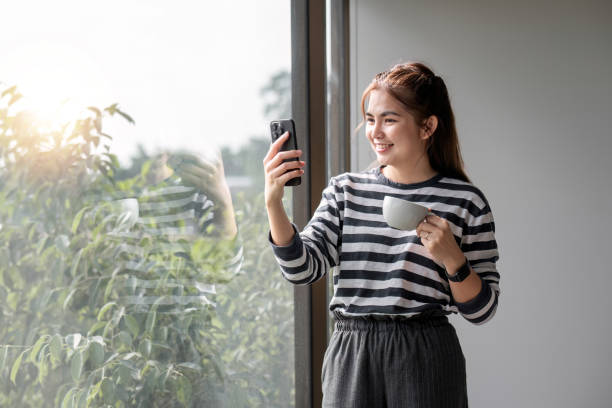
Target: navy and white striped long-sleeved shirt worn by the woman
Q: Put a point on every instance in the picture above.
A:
(379, 270)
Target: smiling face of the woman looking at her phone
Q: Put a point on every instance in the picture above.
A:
(393, 132)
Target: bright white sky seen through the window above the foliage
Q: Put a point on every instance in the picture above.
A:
(189, 73)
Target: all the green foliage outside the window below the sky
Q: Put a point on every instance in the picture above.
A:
(68, 337)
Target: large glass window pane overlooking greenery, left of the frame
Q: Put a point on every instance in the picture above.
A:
(135, 269)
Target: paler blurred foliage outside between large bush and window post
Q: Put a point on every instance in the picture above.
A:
(256, 316)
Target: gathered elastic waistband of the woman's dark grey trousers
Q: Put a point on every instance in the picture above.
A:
(382, 323)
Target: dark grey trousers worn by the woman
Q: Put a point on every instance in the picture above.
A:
(394, 363)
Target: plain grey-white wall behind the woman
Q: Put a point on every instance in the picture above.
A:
(530, 83)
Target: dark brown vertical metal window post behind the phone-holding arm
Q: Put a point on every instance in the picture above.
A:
(308, 110)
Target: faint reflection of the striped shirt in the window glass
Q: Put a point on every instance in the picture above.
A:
(158, 250)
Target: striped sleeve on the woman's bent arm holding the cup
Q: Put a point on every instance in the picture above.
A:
(480, 248)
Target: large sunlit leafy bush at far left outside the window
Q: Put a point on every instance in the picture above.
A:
(68, 336)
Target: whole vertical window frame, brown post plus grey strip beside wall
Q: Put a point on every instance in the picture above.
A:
(326, 152)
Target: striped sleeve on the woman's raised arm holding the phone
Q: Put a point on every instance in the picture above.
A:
(314, 251)
